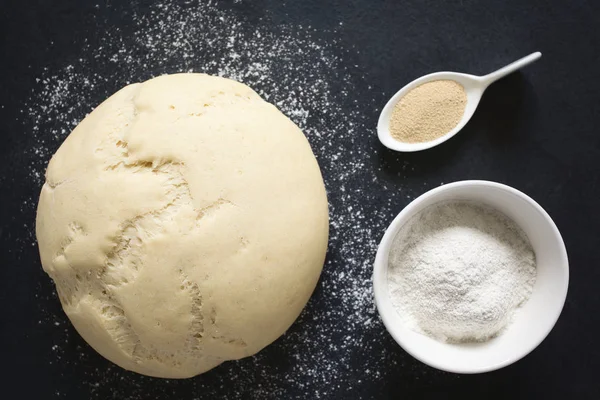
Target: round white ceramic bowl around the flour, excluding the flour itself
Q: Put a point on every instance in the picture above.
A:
(532, 322)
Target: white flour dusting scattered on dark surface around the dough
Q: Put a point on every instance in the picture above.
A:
(309, 79)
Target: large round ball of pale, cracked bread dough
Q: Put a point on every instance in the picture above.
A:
(184, 223)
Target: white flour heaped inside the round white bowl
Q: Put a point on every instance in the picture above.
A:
(458, 271)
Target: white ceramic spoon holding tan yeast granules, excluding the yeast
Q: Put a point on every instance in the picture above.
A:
(474, 86)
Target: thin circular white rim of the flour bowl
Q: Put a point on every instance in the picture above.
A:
(380, 276)
